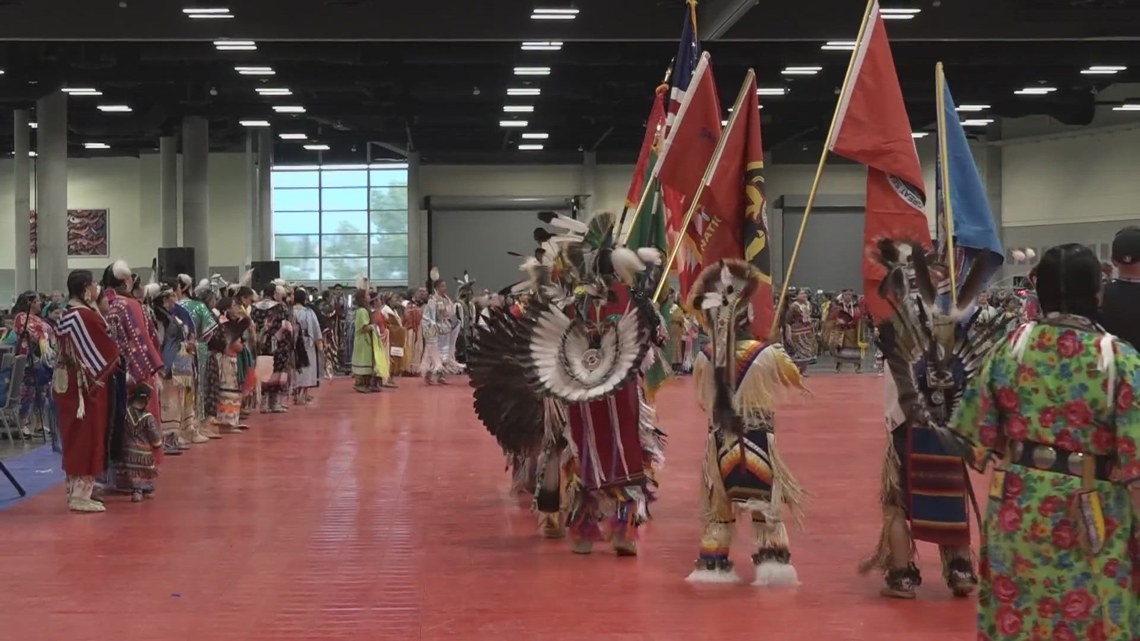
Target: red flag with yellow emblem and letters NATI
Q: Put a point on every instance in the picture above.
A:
(734, 222)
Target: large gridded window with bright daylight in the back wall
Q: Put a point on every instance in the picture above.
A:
(333, 223)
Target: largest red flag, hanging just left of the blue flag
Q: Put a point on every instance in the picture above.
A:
(873, 128)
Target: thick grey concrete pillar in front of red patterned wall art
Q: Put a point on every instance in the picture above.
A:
(52, 192)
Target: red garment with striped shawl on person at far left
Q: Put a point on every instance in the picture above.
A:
(88, 356)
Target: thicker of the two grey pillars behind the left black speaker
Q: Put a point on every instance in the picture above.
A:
(197, 192)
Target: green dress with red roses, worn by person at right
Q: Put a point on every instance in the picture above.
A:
(1038, 582)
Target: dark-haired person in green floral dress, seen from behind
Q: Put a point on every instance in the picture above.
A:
(1056, 407)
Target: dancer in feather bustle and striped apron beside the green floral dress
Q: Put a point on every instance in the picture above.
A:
(932, 351)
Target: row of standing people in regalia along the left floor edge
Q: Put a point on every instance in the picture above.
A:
(148, 372)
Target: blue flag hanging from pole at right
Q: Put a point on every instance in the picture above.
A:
(975, 236)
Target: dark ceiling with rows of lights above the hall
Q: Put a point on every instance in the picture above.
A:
(433, 76)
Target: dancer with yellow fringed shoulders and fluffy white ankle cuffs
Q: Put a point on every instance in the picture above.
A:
(738, 379)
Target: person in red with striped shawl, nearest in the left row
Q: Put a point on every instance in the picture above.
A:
(88, 358)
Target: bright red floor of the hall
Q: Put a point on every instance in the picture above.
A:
(388, 517)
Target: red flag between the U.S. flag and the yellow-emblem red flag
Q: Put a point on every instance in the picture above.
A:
(686, 155)
